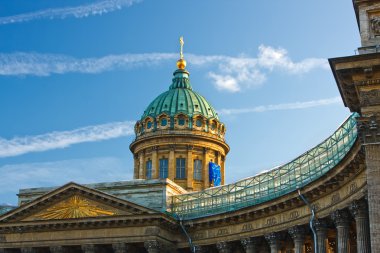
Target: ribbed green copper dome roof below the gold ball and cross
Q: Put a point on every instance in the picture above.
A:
(180, 98)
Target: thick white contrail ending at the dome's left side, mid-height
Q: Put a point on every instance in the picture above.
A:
(63, 139)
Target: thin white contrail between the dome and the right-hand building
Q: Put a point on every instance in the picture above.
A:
(279, 107)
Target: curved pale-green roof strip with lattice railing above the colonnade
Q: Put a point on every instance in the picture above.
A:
(271, 184)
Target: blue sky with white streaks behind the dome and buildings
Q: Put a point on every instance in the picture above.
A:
(76, 75)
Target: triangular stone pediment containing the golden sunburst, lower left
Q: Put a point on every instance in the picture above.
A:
(74, 201)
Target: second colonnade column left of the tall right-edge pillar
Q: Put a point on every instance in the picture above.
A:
(341, 219)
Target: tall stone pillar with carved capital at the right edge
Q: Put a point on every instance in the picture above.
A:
(369, 133)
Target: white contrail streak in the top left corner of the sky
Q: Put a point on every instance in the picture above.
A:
(81, 11)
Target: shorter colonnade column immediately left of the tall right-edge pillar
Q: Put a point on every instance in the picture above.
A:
(359, 210)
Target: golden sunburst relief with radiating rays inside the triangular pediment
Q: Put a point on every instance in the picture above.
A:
(73, 208)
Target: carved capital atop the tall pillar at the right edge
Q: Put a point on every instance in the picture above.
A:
(369, 129)
